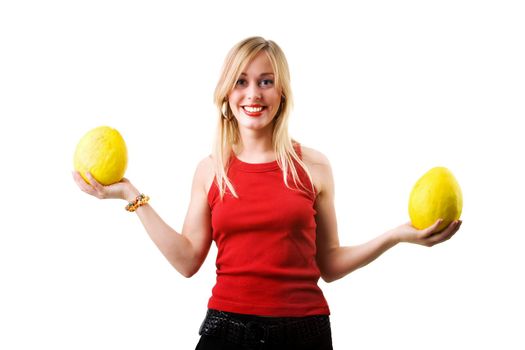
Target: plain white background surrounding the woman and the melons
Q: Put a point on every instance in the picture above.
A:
(386, 89)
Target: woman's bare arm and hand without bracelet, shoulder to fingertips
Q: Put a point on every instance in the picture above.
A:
(335, 261)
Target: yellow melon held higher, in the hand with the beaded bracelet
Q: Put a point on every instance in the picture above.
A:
(102, 152)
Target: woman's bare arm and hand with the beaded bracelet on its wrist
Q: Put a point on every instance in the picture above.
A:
(187, 250)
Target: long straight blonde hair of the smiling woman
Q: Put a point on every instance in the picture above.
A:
(227, 129)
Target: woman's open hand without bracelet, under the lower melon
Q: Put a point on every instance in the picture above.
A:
(428, 236)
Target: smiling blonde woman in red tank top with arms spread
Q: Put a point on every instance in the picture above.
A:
(268, 203)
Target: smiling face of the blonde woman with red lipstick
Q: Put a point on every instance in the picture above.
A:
(255, 99)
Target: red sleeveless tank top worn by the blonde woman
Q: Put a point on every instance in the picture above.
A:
(266, 244)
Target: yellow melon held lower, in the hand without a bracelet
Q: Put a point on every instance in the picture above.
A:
(435, 195)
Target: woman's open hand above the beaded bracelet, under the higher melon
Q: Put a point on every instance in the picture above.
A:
(121, 190)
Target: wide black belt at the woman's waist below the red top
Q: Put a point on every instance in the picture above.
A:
(244, 329)
